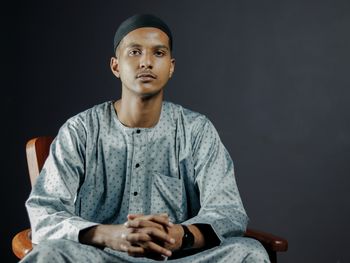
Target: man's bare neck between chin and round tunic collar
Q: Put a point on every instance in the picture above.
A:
(139, 112)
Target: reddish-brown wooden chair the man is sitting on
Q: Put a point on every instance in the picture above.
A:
(37, 150)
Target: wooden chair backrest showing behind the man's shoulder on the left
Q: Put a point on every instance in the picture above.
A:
(37, 150)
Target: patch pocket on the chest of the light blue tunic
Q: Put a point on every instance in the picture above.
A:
(168, 196)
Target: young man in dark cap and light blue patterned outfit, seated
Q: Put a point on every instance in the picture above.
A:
(139, 178)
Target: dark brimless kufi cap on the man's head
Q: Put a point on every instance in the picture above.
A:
(138, 21)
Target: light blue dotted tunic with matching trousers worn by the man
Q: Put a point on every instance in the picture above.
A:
(99, 171)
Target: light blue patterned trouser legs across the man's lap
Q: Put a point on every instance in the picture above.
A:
(234, 249)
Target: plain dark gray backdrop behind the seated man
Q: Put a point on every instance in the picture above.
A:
(273, 76)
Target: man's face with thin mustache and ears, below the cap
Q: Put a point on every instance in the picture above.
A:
(144, 62)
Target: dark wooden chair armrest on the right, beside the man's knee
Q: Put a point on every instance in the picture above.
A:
(269, 241)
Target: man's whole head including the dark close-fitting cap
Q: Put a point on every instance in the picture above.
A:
(143, 59)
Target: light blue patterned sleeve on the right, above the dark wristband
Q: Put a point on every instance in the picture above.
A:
(220, 202)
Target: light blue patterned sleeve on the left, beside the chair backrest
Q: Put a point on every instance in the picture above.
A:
(51, 204)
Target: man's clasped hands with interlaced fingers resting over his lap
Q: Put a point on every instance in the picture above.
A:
(151, 236)
